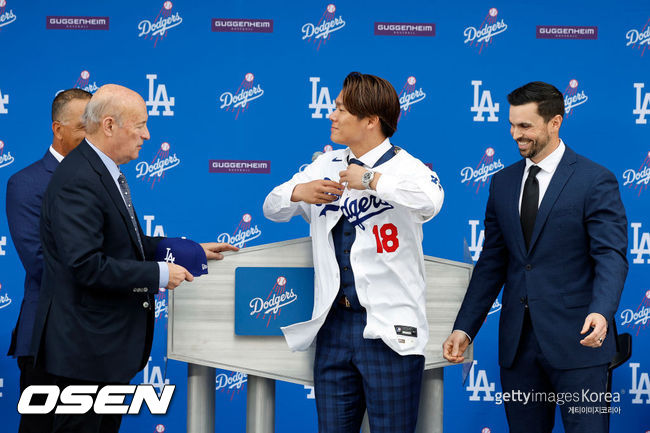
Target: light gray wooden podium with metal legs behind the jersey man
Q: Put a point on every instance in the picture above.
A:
(201, 332)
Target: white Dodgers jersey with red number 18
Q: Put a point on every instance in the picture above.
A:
(386, 256)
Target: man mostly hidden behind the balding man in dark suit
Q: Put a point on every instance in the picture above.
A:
(25, 191)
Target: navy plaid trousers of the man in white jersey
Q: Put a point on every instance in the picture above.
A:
(352, 374)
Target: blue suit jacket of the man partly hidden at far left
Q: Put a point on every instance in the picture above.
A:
(25, 190)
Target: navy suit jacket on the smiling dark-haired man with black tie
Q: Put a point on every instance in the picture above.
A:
(576, 263)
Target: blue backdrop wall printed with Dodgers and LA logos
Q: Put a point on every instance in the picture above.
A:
(239, 94)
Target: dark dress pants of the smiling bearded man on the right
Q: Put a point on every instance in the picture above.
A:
(546, 386)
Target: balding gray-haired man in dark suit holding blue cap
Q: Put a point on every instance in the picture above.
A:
(96, 312)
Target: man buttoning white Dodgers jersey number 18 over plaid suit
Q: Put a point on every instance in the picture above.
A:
(366, 205)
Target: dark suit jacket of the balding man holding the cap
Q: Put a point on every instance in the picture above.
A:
(95, 318)
